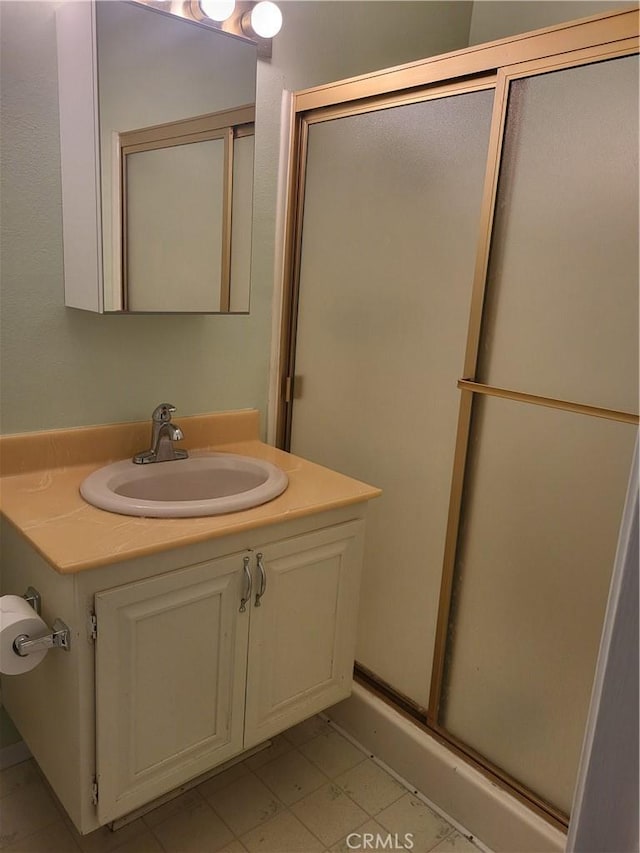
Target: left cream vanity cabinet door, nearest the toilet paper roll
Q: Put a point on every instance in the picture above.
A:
(170, 679)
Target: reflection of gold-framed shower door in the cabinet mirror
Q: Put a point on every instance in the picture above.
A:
(199, 170)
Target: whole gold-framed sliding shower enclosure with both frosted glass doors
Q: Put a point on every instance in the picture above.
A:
(460, 322)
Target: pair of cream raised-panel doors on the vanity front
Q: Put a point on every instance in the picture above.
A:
(178, 655)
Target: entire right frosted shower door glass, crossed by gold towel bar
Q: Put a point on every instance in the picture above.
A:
(544, 488)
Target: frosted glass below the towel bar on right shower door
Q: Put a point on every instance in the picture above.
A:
(545, 491)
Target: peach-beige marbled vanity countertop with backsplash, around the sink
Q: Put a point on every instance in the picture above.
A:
(42, 472)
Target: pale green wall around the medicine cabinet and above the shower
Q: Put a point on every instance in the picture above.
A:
(61, 367)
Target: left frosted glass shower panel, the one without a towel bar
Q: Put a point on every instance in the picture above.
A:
(391, 208)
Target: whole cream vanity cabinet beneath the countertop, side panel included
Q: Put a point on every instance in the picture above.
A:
(177, 679)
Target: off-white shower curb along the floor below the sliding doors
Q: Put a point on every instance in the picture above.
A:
(498, 820)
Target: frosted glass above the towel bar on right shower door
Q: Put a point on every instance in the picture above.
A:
(562, 291)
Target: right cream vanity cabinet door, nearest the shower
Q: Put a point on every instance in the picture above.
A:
(302, 636)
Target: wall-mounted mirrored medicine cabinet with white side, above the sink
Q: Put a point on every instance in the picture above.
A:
(175, 107)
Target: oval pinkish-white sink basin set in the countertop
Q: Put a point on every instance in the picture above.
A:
(206, 484)
